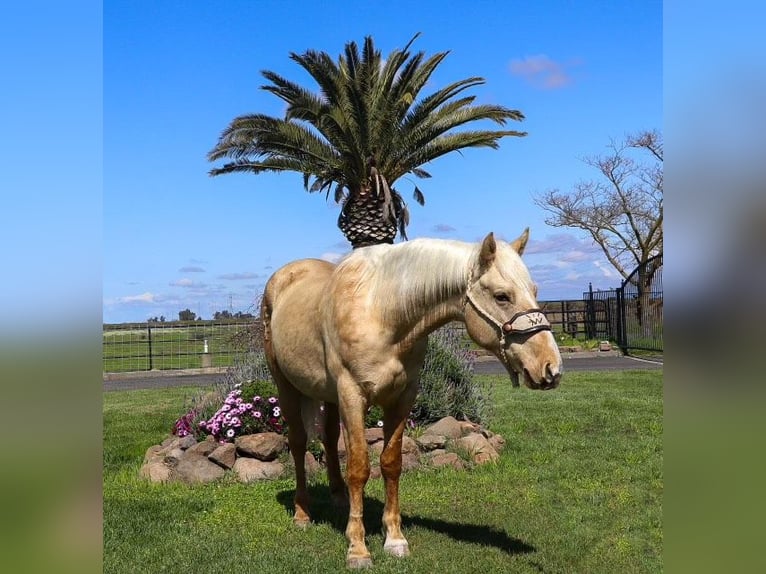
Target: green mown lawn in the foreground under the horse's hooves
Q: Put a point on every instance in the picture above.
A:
(578, 488)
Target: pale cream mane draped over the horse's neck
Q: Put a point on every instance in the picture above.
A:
(406, 278)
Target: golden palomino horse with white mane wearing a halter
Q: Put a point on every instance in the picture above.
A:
(355, 335)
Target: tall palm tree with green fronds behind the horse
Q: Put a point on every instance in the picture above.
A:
(365, 128)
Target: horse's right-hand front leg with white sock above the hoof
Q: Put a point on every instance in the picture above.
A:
(394, 421)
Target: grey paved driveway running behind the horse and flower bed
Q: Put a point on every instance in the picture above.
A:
(483, 366)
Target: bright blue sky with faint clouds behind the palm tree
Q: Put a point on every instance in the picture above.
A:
(175, 74)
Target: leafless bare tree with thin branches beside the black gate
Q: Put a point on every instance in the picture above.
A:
(622, 210)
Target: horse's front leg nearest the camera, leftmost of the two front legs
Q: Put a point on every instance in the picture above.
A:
(352, 410)
